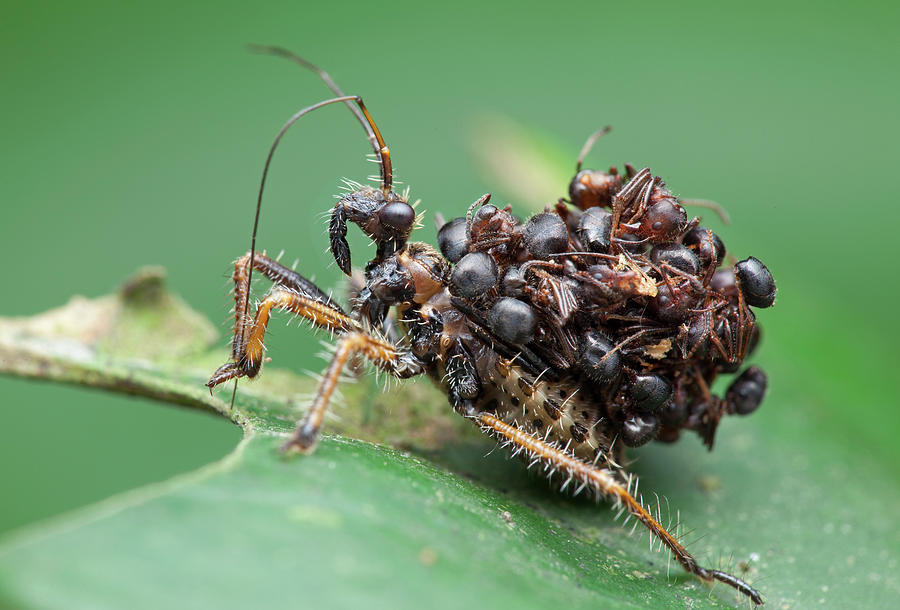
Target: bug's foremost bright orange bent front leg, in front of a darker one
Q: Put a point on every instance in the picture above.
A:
(249, 336)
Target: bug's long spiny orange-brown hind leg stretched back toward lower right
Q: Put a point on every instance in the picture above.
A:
(604, 482)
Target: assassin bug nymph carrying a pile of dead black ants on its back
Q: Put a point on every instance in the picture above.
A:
(598, 324)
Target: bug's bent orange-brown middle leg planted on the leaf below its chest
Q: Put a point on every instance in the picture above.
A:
(386, 356)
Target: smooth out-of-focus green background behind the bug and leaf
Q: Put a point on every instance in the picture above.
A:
(136, 135)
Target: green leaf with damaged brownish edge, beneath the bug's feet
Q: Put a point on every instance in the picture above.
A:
(363, 524)
